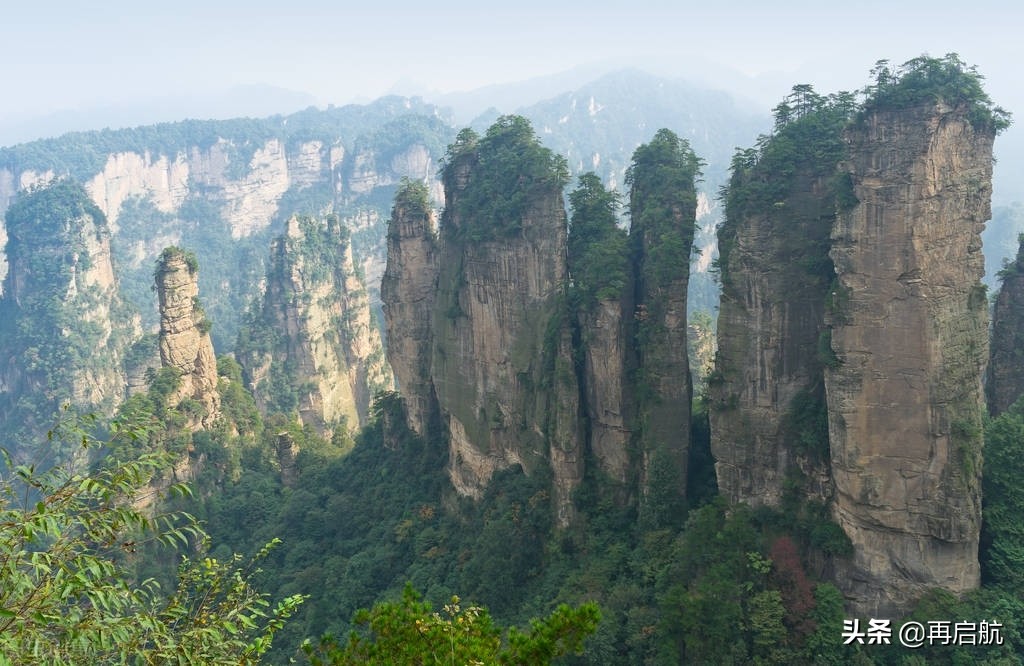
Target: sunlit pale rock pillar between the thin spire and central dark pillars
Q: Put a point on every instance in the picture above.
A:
(325, 357)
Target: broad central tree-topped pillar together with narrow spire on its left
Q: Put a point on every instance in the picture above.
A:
(480, 338)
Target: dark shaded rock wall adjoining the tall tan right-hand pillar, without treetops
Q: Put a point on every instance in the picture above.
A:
(767, 395)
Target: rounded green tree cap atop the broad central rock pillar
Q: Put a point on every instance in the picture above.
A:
(510, 172)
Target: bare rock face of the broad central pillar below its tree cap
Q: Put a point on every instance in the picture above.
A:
(498, 337)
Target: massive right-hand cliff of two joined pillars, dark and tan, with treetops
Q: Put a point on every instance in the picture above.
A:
(855, 328)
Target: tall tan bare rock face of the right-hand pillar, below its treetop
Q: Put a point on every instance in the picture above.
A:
(910, 339)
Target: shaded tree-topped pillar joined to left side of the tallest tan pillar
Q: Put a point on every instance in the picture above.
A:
(769, 414)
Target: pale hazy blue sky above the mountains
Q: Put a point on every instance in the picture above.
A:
(66, 58)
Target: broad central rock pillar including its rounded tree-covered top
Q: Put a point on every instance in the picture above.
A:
(500, 289)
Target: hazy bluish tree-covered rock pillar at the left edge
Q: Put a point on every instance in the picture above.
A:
(64, 330)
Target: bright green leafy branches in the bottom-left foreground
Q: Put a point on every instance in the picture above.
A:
(67, 595)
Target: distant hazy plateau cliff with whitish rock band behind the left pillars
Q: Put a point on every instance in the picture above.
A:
(228, 188)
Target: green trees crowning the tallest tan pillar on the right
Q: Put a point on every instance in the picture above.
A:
(931, 80)
